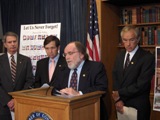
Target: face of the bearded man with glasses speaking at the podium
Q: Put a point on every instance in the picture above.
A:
(73, 56)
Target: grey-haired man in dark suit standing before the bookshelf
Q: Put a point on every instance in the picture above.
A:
(132, 75)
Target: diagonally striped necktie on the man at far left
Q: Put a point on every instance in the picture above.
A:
(13, 68)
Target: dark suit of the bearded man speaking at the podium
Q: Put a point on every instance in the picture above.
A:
(92, 78)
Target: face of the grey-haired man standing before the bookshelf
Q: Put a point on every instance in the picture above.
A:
(129, 40)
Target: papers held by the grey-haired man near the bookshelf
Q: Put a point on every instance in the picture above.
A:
(130, 113)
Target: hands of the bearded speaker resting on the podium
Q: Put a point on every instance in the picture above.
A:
(69, 91)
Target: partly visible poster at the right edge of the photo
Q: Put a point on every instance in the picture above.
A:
(156, 101)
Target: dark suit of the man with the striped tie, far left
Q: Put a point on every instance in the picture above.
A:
(24, 80)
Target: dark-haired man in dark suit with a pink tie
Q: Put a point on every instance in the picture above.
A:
(52, 48)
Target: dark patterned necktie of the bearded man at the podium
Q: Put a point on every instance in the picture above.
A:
(73, 82)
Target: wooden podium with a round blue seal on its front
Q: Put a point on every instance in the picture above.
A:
(39, 104)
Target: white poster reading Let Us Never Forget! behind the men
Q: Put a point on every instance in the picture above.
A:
(32, 37)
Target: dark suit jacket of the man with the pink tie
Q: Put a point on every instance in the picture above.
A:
(42, 73)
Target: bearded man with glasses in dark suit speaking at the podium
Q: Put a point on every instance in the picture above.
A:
(90, 75)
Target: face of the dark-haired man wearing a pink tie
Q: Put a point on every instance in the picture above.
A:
(51, 49)
